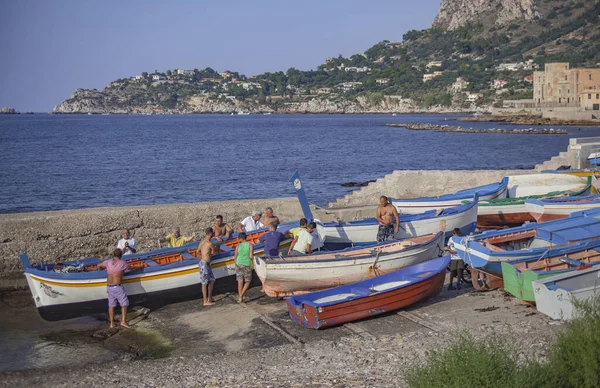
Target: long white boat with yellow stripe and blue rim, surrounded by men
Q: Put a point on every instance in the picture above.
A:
(78, 288)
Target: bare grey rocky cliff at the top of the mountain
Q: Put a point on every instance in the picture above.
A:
(456, 13)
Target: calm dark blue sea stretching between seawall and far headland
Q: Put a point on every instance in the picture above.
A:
(63, 162)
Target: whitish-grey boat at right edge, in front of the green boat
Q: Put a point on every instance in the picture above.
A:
(554, 296)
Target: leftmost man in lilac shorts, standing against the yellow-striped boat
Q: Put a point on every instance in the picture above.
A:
(114, 287)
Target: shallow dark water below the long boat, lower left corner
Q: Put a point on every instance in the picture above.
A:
(27, 341)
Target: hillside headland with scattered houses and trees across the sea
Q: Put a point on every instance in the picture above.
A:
(491, 47)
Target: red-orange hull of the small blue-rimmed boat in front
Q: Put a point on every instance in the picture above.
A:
(316, 317)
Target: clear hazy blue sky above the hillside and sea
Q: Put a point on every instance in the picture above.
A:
(49, 48)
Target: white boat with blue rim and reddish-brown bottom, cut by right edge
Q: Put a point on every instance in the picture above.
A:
(552, 209)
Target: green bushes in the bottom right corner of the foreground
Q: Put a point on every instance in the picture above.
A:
(573, 359)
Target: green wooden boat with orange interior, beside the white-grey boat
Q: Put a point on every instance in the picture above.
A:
(519, 275)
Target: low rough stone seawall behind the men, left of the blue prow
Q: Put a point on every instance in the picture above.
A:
(72, 234)
